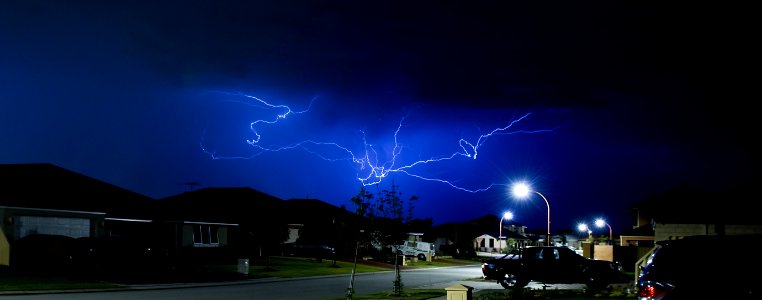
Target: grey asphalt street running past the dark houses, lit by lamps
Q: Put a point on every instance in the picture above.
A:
(324, 287)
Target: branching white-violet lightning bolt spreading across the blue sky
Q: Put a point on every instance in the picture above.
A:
(371, 168)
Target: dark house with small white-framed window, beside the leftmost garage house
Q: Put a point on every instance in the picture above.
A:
(223, 223)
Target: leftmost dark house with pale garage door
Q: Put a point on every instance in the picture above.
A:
(47, 199)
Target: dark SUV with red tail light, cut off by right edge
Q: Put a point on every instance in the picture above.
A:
(703, 267)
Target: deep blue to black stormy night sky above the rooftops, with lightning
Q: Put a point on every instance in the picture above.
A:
(597, 104)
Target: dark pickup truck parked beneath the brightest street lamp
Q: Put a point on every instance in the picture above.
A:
(551, 265)
